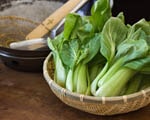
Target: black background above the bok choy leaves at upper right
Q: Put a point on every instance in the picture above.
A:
(133, 9)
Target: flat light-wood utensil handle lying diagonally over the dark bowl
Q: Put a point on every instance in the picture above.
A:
(54, 19)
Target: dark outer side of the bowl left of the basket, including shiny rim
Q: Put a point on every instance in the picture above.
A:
(22, 60)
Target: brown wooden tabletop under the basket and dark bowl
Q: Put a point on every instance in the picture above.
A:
(26, 96)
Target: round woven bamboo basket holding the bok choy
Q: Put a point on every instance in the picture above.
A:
(95, 105)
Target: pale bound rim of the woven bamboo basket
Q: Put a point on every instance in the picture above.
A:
(80, 97)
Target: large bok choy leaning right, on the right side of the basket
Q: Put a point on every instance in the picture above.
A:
(125, 55)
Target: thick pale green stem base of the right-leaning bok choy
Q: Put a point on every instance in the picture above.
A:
(116, 83)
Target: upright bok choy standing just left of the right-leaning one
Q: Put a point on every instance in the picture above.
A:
(77, 50)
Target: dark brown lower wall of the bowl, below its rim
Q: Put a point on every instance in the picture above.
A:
(26, 64)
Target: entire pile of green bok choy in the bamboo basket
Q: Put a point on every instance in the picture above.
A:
(100, 55)
